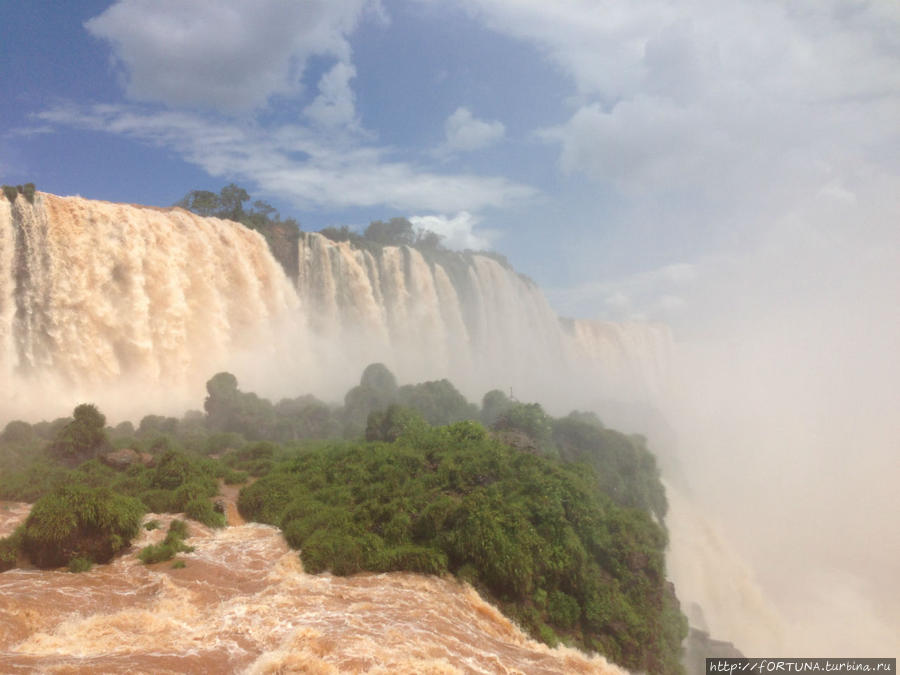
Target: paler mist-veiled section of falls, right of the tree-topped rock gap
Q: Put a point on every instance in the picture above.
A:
(470, 318)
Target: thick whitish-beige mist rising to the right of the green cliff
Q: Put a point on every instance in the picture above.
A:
(785, 407)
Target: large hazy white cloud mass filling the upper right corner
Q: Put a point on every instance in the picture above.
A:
(746, 104)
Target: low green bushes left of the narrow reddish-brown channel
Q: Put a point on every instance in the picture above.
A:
(88, 508)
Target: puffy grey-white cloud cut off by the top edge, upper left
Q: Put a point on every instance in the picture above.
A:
(224, 54)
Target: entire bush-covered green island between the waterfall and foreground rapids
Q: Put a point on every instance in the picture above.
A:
(557, 520)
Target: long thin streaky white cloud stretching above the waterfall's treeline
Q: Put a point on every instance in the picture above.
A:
(296, 163)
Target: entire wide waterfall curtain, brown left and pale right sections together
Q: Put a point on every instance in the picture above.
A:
(134, 308)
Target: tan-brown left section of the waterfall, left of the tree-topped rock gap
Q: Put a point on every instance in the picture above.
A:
(97, 297)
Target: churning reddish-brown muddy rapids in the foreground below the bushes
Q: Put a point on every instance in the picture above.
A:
(243, 604)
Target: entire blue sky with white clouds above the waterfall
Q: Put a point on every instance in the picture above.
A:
(639, 160)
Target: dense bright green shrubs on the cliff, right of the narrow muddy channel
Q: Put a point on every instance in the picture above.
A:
(531, 531)
